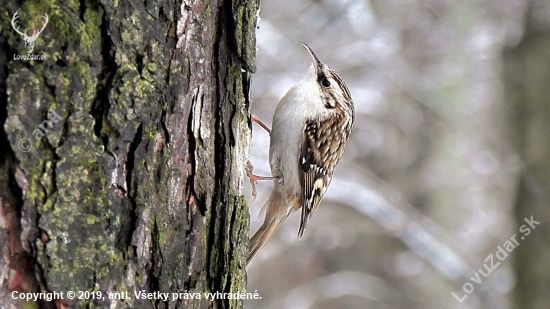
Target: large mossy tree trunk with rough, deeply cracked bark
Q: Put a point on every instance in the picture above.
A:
(137, 184)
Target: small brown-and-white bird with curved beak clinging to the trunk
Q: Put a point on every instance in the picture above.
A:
(311, 127)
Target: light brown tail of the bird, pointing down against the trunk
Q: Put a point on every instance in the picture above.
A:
(271, 222)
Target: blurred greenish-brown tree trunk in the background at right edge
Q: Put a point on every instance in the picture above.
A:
(527, 73)
